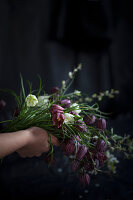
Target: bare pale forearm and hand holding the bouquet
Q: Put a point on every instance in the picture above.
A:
(27, 143)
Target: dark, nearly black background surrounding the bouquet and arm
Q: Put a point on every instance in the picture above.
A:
(49, 38)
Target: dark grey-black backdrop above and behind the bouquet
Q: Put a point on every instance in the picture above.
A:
(50, 37)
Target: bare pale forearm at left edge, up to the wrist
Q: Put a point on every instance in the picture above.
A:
(11, 142)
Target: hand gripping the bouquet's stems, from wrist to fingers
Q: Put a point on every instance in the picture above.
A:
(38, 142)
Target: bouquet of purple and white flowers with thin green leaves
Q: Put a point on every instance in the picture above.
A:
(76, 121)
